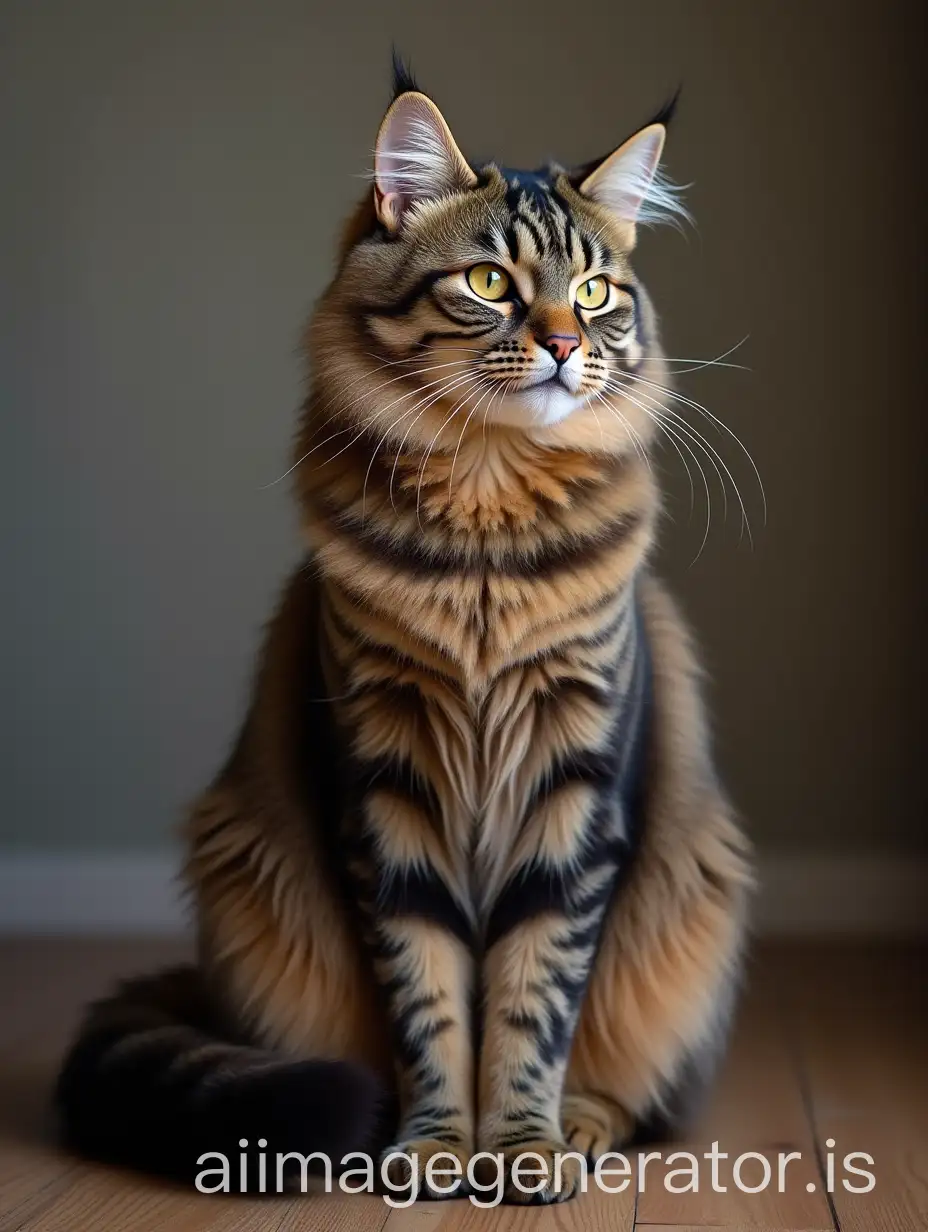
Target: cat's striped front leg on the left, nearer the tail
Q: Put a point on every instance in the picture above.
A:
(422, 943)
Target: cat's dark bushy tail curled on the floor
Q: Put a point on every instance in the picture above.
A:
(152, 1084)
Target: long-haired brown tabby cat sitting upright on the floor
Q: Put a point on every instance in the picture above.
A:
(469, 881)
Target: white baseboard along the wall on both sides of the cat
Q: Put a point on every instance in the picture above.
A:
(137, 895)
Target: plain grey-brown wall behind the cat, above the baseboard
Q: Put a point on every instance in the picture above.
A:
(174, 178)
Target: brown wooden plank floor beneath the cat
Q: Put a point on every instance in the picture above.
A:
(831, 1043)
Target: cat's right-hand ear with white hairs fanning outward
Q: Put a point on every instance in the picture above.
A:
(629, 182)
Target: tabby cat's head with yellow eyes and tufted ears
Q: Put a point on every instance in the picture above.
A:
(507, 296)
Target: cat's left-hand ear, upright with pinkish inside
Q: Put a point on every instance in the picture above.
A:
(416, 160)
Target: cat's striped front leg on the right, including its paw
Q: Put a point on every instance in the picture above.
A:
(542, 943)
